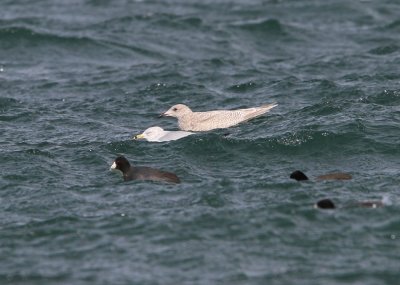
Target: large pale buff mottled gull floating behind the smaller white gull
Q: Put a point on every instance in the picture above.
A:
(218, 119)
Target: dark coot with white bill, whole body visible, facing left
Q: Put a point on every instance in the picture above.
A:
(130, 172)
